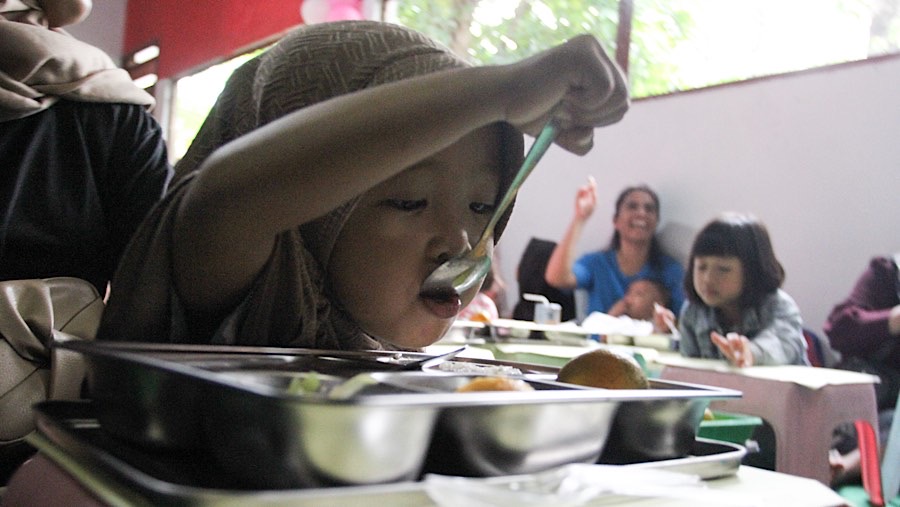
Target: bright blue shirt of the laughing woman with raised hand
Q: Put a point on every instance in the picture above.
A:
(599, 273)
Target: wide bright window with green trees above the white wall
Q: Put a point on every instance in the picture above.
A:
(673, 45)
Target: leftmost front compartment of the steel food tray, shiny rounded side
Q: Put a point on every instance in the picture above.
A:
(263, 443)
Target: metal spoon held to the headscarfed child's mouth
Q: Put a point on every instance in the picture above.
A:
(459, 274)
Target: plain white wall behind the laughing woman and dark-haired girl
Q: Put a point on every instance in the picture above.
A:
(815, 155)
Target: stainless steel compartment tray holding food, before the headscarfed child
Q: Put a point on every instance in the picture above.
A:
(233, 405)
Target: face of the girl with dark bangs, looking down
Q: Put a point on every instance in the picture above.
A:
(719, 281)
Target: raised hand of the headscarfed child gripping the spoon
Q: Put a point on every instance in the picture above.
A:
(576, 84)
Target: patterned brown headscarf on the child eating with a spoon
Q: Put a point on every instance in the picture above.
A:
(315, 63)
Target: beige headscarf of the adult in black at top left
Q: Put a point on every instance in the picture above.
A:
(40, 63)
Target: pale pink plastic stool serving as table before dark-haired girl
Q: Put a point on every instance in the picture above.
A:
(803, 417)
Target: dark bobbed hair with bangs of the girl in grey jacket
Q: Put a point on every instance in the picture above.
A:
(743, 236)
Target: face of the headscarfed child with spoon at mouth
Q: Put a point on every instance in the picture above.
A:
(403, 228)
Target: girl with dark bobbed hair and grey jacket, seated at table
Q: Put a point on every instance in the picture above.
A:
(735, 308)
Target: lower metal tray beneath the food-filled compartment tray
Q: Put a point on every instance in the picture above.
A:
(122, 474)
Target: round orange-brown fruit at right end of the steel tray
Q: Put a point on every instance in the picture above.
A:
(606, 369)
